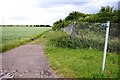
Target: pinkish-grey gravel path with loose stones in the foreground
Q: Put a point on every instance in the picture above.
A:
(27, 61)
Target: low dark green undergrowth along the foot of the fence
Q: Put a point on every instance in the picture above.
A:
(65, 41)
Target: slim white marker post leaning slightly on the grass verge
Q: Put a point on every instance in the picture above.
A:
(105, 48)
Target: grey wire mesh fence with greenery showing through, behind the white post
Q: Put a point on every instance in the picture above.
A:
(92, 35)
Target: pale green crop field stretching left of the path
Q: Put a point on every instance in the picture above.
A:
(14, 36)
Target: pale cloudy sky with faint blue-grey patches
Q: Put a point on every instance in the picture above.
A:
(37, 12)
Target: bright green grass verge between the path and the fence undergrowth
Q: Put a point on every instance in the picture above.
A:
(78, 63)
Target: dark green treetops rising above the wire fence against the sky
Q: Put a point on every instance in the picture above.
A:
(104, 14)
